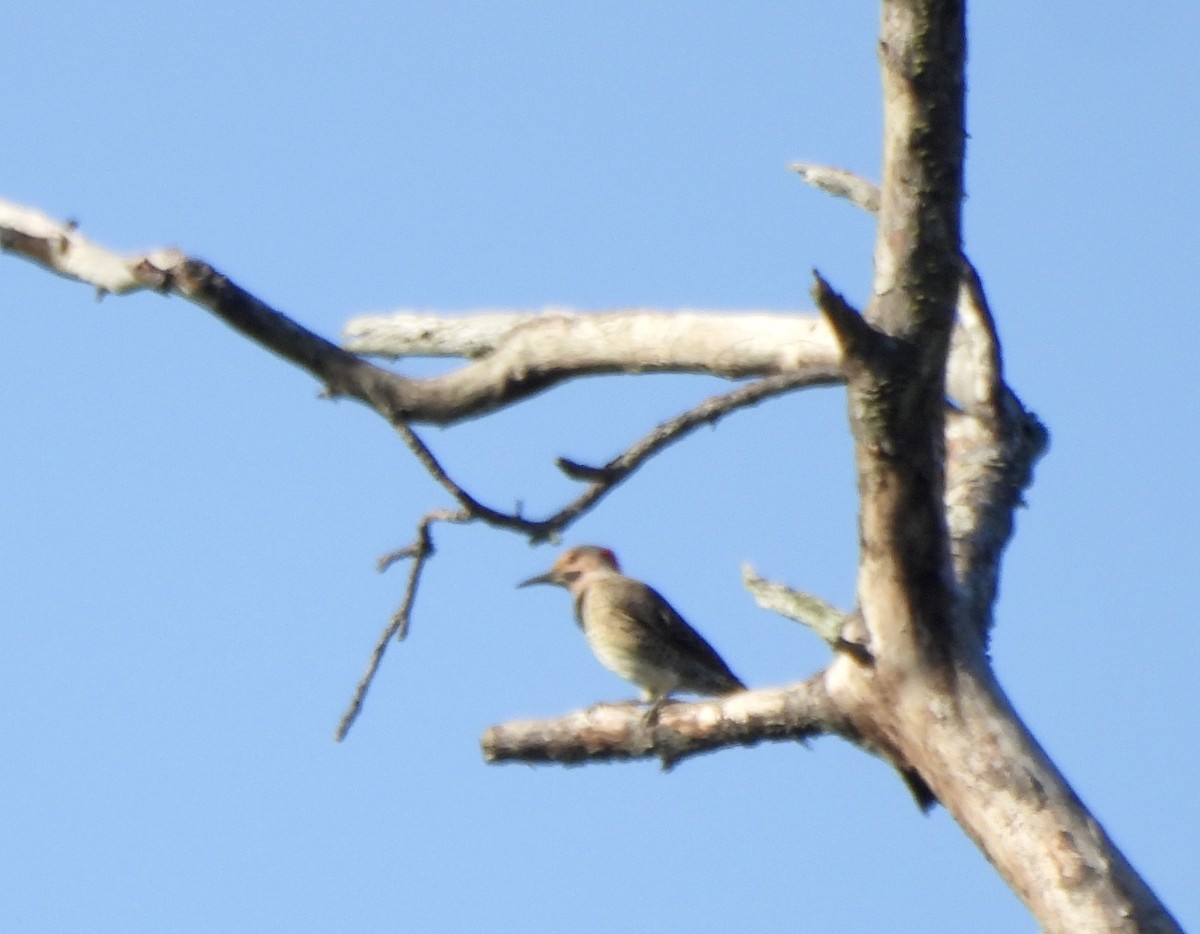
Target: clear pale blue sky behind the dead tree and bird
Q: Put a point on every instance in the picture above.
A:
(188, 596)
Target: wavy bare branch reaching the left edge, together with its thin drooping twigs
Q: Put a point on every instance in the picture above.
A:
(509, 374)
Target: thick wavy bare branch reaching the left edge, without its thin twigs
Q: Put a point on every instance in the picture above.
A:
(535, 356)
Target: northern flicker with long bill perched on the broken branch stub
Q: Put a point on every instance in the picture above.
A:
(637, 633)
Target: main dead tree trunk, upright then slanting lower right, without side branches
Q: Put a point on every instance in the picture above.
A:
(931, 693)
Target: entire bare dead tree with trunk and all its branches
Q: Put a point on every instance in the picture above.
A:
(910, 680)
